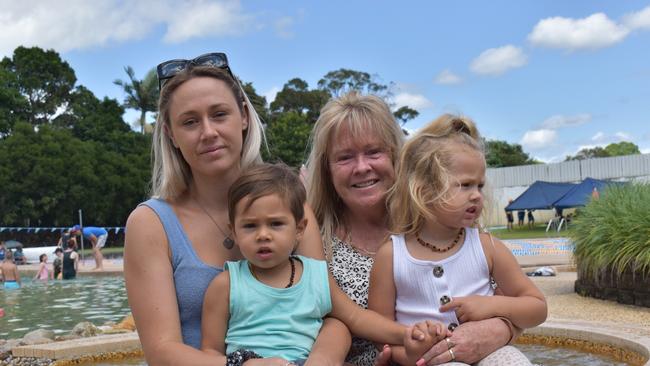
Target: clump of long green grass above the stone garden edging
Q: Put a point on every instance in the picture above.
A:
(613, 232)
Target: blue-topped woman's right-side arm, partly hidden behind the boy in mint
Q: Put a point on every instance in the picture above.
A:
(333, 341)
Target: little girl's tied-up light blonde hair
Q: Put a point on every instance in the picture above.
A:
(423, 179)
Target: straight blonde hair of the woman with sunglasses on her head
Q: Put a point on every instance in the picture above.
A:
(171, 174)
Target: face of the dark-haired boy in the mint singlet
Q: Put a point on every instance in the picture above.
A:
(266, 232)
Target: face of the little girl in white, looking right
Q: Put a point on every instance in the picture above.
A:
(465, 199)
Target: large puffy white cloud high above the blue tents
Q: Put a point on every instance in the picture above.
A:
(592, 32)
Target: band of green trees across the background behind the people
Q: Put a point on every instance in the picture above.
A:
(63, 149)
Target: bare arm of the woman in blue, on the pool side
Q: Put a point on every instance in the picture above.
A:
(152, 298)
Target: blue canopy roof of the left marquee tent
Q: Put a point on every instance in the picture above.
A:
(540, 196)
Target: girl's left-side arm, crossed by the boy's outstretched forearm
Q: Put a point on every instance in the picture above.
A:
(381, 298)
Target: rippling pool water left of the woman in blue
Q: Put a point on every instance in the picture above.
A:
(60, 305)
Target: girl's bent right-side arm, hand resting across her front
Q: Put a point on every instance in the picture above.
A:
(523, 303)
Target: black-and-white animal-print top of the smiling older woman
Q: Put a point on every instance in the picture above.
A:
(351, 270)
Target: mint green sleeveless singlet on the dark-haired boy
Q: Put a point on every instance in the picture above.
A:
(277, 322)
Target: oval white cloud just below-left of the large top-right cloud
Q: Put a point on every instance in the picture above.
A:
(496, 61)
